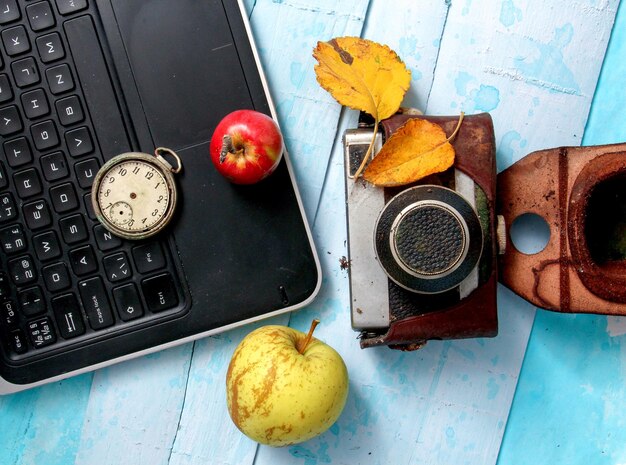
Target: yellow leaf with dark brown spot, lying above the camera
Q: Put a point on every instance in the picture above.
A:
(362, 75)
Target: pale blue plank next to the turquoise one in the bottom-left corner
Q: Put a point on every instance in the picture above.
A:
(134, 408)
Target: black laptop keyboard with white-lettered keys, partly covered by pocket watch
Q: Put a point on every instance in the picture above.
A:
(64, 279)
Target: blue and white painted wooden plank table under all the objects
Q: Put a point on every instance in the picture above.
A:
(549, 389)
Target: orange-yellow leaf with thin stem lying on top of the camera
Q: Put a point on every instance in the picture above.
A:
(417, 149)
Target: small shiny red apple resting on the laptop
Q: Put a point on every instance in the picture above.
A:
(246, 146)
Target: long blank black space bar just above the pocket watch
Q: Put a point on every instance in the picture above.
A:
(98, 91)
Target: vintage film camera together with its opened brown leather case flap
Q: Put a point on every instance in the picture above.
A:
(424, 259)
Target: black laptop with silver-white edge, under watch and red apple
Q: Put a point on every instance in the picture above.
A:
(80, 82)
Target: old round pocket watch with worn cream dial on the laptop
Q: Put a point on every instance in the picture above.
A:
(134, 194)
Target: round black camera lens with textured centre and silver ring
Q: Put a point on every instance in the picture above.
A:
(428, 239)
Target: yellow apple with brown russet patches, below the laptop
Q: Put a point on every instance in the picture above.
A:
(284, 386)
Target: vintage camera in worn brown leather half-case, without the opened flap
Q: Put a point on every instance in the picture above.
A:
(422, 258)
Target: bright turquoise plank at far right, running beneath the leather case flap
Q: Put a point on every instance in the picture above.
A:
(583, 355)
